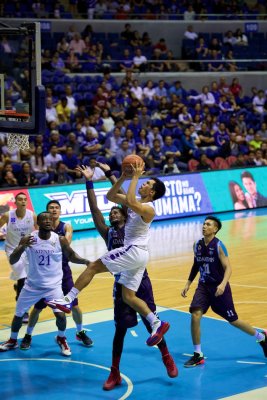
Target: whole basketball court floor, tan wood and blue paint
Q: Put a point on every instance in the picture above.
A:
(235, 367)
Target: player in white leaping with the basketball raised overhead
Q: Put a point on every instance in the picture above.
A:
(127, 263)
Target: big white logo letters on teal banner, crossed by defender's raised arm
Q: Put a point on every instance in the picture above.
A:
(75, 203)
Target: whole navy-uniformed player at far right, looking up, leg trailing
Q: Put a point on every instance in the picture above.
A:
(213, 290)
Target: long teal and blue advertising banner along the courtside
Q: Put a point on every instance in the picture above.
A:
(186, 195)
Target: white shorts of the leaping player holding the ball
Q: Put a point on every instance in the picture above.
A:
(128, 264)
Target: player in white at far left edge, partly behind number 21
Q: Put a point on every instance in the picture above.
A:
(20, 222)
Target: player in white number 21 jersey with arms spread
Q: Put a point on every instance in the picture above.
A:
(44, 249)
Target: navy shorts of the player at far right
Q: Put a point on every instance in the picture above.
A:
(223, 305)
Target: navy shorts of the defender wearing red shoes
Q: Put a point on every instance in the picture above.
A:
(124, 315)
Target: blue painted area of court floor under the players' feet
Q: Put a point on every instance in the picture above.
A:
(235, 364)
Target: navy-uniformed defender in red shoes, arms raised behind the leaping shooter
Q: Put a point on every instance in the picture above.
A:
(125, 317)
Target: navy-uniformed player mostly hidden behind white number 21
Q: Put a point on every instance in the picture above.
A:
(62, 229)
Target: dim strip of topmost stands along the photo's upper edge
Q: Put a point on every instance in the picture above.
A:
(133, 9)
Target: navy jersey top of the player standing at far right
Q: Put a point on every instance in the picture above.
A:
(208, 262)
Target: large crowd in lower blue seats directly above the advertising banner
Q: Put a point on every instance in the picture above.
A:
(174, 129)
